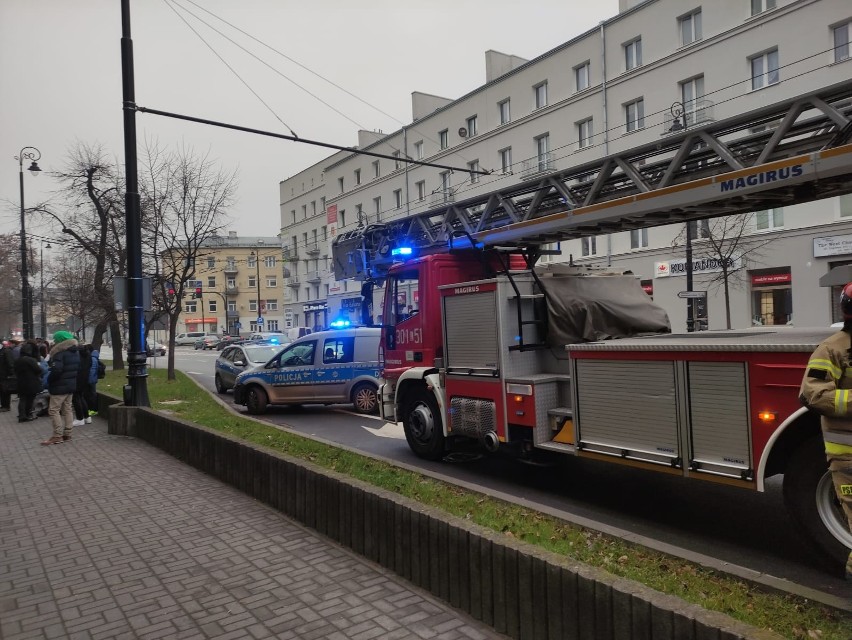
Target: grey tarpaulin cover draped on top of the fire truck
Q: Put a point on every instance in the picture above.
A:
(599, 307)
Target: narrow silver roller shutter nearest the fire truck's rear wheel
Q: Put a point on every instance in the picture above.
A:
(719, 418)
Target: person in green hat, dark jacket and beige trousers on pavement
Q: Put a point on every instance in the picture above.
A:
(62, 383)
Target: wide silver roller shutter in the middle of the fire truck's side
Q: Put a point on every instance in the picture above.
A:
(628, 409)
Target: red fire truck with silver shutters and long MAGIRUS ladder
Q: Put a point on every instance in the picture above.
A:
(551, 361)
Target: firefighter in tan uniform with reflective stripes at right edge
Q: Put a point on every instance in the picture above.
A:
(825, 389)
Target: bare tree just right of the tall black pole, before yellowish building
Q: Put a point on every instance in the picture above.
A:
(185, 197)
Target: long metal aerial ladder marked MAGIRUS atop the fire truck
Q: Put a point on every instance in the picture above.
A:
(793, 151)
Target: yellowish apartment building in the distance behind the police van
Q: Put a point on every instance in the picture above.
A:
(240, 279)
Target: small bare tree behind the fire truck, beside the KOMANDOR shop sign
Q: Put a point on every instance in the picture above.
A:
(726, 241)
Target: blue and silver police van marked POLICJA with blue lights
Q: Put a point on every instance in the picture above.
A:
(324, 367)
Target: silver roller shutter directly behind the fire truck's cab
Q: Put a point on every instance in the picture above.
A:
(470, 323)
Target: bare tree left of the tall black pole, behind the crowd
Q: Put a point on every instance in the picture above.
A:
(90, 211)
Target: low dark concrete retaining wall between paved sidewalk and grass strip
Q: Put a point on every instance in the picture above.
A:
(520, 590)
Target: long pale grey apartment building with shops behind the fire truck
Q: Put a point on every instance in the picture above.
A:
(658, 66)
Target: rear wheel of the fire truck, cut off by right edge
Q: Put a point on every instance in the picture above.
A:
(811, 500)
